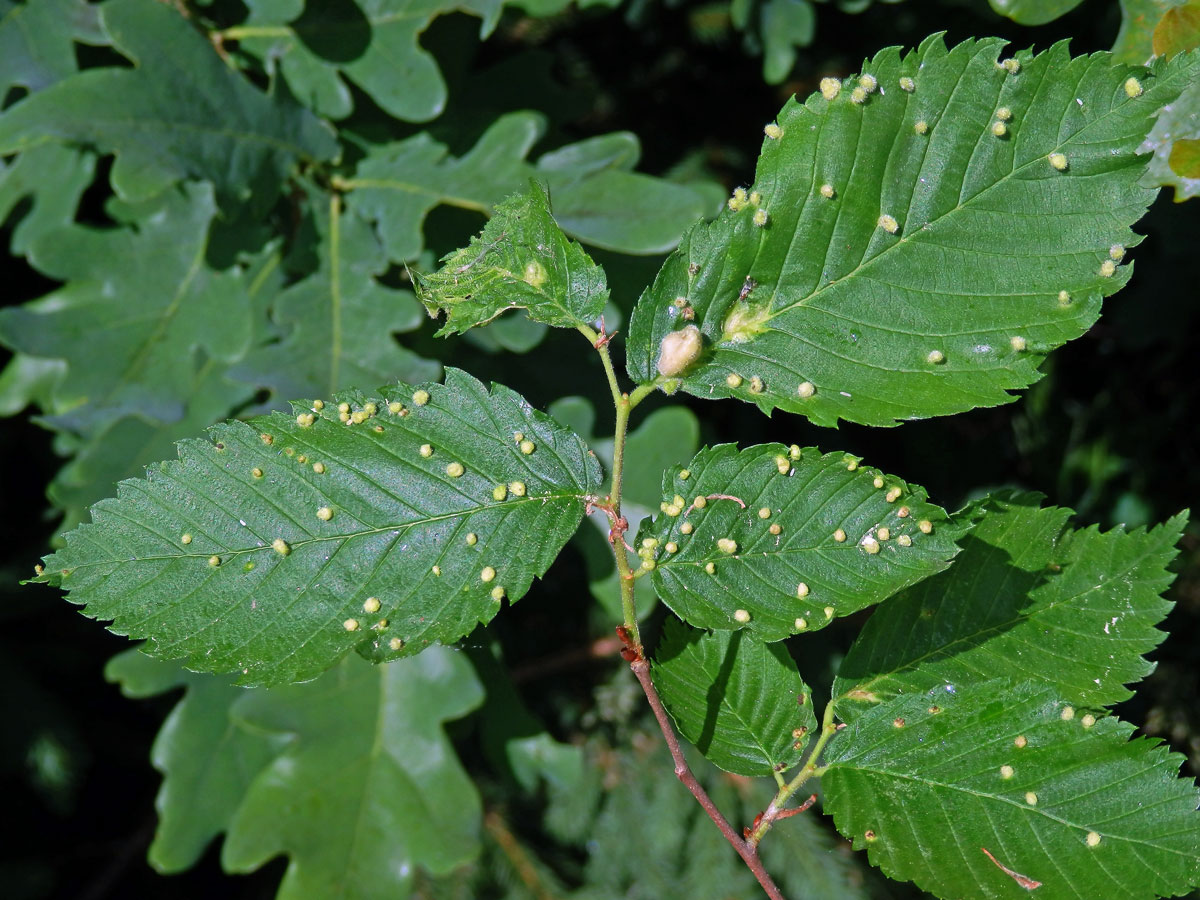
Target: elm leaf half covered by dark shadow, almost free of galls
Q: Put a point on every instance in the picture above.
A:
(1028, 598)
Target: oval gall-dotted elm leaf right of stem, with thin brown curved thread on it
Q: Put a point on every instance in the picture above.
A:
(781, 541)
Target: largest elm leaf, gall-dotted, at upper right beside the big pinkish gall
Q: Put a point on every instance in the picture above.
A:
(915, 254)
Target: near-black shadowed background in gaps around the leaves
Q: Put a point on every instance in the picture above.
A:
(1109, 433)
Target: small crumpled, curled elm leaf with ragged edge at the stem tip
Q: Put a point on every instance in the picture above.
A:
(521, 261)
